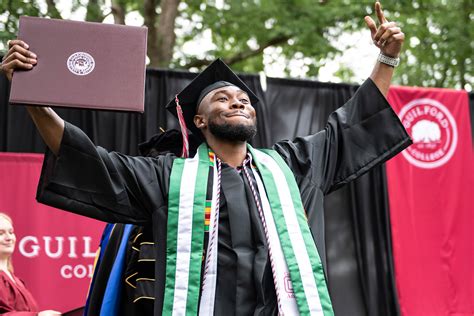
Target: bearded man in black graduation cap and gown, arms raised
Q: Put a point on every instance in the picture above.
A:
(236, 230)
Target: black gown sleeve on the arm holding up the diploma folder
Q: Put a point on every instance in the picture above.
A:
(108, 186)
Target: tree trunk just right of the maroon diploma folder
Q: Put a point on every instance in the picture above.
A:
(166, 36)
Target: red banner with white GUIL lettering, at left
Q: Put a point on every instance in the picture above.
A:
(55, 250)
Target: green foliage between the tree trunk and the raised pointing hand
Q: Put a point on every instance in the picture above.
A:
(299, 28)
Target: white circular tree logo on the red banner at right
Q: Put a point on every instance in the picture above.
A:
(433, 130)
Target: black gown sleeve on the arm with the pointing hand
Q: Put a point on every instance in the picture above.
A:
(362, 133)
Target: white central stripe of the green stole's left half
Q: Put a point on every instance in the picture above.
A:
(185, 224)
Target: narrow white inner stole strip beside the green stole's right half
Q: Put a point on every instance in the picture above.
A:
(288, 302)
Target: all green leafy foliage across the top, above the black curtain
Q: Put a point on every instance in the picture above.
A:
(438, 50)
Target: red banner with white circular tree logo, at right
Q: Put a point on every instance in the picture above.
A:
(432, 203)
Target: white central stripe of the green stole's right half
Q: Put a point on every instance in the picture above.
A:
(296, 237)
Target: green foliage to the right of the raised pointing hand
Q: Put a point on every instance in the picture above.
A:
(439, 44)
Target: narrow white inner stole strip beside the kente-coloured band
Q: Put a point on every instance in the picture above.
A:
(206, 306)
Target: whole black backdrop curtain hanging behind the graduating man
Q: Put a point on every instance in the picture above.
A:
(357, 227)
